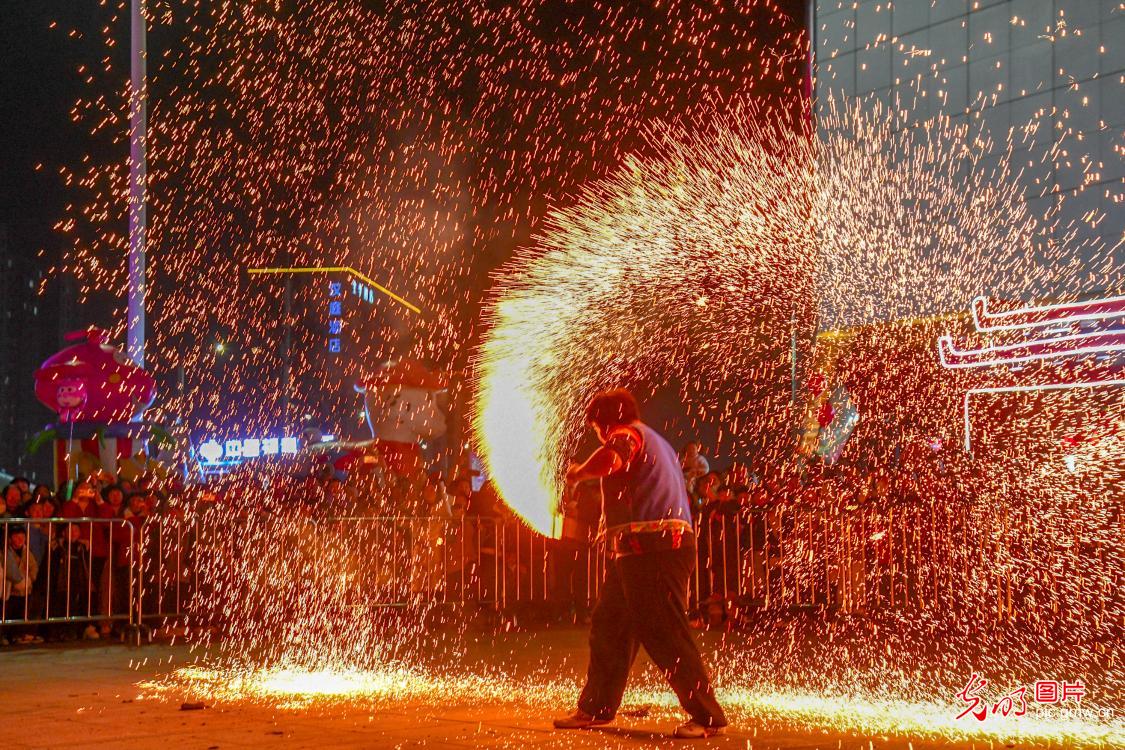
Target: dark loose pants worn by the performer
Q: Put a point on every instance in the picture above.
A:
(644, 603)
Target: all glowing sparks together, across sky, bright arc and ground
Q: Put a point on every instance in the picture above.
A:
(421, 143)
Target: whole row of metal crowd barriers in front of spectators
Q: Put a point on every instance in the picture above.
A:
(784, 558)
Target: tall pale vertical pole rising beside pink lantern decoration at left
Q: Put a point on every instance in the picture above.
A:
(138, 180)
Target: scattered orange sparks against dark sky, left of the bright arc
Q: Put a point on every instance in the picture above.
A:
(416, 141)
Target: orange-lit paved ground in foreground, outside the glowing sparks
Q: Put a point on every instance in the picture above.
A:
(88, 698)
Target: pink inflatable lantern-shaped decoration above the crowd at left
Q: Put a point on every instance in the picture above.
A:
(93, 382)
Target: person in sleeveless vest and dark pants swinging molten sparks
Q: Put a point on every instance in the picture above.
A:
(652, 549)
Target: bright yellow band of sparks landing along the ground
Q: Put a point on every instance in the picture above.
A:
(294, 689)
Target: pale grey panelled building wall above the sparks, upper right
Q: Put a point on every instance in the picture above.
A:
(1003, 66)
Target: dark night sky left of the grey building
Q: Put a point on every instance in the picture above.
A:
(524, 112)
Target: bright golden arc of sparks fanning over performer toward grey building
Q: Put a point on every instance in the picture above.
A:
(694, 266)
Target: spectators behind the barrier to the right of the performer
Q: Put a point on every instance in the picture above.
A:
(748, 520)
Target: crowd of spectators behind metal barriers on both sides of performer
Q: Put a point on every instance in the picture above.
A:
(457, 531)
